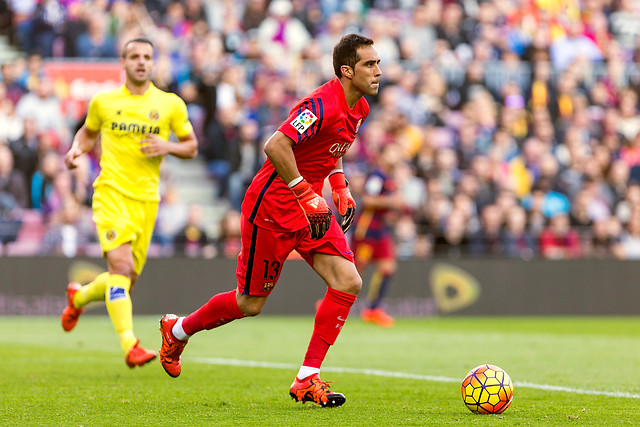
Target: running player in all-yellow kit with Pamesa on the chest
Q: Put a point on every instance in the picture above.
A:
(134, 122)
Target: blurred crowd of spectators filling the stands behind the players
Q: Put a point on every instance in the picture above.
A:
(517, 119)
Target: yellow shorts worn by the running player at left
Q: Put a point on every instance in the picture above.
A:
(120, 219)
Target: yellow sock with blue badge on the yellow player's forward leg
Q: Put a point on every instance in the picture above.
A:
(120, 310)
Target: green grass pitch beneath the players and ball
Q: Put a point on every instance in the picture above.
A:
(566, 370)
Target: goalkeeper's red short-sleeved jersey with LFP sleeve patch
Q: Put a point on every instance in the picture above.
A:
(323, 127)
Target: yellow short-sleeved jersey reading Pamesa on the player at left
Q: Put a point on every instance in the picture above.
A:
(123, 120)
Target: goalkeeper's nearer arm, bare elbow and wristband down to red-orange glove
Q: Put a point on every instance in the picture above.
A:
(279, 150)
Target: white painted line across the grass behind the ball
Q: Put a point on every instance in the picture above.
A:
(392, 374)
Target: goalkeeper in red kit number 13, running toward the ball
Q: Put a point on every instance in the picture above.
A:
(284, 210)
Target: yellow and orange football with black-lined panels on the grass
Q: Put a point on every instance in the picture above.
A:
(487, 389)
